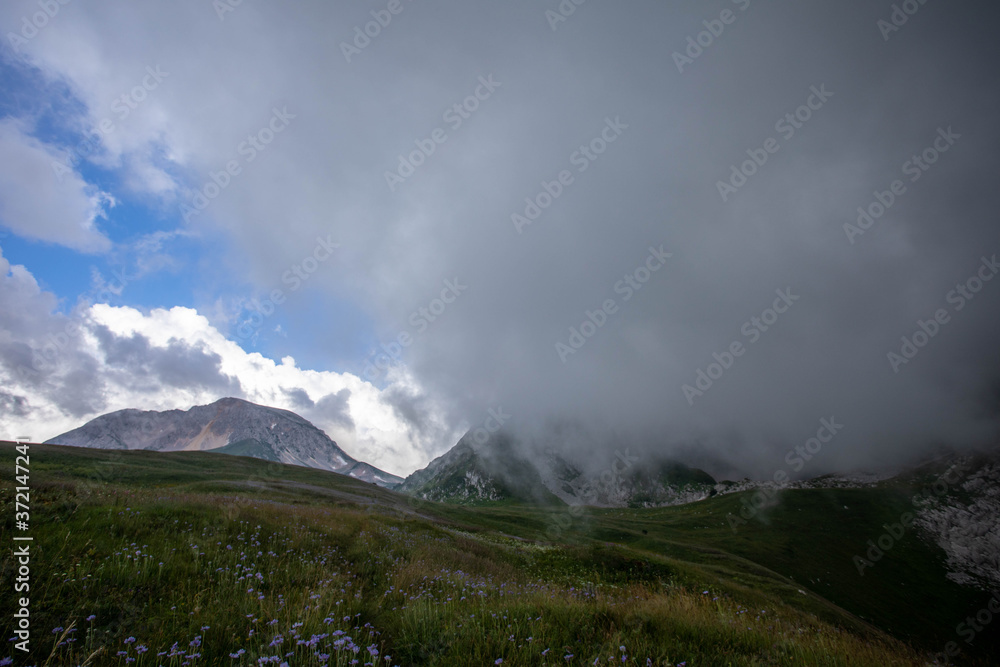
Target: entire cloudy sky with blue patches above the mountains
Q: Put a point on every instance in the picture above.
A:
(695, 229)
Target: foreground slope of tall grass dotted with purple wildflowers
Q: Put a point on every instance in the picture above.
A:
(123, 576)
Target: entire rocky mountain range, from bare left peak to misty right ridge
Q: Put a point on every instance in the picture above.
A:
(557, 472)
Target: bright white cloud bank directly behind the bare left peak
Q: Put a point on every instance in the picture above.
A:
(83, 353)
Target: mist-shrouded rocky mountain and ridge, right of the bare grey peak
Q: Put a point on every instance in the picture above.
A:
(963, 523)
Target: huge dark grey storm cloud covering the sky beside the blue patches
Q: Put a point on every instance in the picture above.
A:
(590, 132)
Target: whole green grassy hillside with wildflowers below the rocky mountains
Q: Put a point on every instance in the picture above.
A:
(231, 560)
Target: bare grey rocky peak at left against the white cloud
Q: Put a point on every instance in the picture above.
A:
(228, 426)
